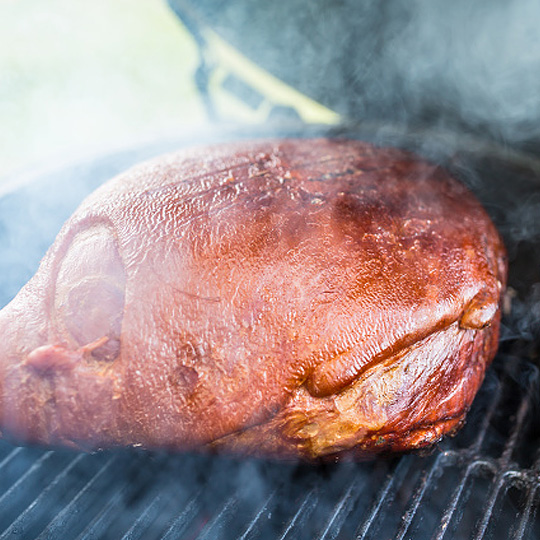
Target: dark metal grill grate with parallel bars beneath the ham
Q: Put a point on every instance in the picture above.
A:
(484, 483)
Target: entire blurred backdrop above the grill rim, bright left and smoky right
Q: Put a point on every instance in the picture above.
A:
(79, 77)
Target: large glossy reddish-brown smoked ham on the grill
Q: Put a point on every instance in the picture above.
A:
(294, 298)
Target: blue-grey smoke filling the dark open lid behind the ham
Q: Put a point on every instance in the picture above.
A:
(449, 64)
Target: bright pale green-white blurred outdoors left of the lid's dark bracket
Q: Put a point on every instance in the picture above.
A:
(79, 77)
